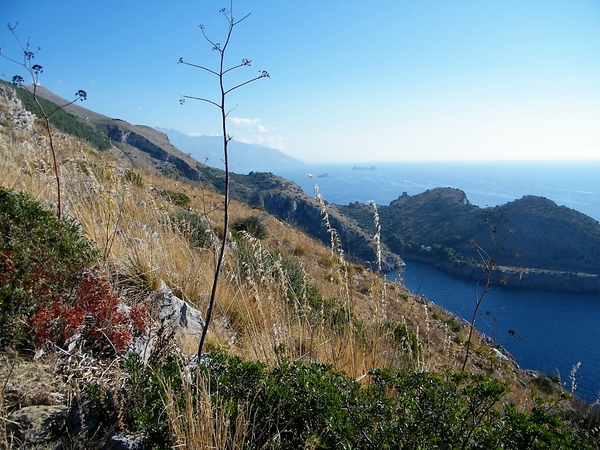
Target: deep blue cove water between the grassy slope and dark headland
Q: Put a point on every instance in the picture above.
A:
(553, 331)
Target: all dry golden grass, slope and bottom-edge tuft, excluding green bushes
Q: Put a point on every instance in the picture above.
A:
(256, 316)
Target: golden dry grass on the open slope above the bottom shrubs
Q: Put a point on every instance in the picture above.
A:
(130, 224)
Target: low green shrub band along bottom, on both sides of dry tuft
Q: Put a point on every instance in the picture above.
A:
(294, 405)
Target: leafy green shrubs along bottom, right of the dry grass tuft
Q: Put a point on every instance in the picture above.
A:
(298, 405)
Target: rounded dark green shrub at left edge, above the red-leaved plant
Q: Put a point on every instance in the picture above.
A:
(42, 260)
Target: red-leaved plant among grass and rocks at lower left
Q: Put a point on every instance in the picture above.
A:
(95, 315)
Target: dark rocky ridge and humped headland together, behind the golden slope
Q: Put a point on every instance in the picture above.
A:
(557, 248)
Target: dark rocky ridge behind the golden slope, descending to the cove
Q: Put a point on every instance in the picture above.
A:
(150, 149)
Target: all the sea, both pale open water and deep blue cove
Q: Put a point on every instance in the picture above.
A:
(551, 332)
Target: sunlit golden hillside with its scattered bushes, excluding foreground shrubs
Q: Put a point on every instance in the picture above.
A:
(282, 296)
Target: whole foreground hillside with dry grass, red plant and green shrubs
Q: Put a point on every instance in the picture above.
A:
(310, 350)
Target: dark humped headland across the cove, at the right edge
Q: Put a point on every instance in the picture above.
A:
(538, 243)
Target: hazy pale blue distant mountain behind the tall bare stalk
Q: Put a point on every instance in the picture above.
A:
(243, 158)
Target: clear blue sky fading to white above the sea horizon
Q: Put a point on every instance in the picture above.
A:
(350, 81)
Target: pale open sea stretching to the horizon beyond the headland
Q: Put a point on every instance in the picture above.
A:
(573, 184)
